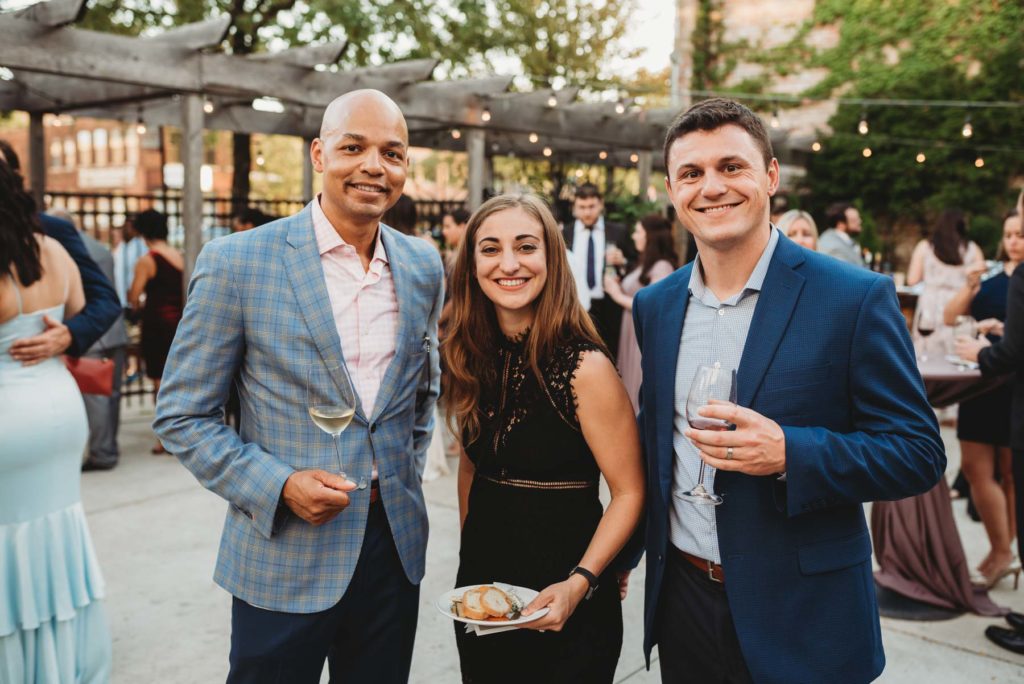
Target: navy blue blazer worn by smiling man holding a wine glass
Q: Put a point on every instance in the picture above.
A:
(829, 359)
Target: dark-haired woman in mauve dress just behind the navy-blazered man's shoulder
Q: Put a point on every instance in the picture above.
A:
(655, 241)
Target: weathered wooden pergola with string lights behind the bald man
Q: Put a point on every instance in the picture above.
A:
(178, 78)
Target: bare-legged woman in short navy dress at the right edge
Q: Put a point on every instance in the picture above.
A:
(984, 423)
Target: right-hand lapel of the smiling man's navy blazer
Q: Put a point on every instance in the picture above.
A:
(780, 294)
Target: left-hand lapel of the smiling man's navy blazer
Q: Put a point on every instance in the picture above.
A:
(671, 314)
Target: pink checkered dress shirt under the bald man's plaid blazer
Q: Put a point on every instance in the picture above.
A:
(365, 308)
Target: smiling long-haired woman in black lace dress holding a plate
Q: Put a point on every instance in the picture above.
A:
(543, 416)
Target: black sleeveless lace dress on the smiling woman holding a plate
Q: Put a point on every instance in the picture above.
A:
(534, 508)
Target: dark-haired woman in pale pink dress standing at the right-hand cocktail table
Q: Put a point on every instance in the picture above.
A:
(942, 264)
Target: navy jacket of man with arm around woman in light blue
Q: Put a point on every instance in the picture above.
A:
(102, 305)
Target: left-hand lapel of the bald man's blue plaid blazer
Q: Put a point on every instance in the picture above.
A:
(303, 264)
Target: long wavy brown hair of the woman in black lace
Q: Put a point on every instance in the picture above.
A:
(473, 345)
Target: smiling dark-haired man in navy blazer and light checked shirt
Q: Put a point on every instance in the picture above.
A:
(776, 584)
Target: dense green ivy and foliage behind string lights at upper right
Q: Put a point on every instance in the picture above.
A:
(926, 51)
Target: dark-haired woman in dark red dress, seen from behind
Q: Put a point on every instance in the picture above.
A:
(158, 274)
